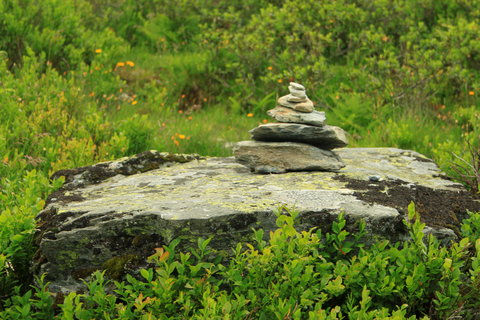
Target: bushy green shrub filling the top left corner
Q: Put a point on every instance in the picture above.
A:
(58, 30)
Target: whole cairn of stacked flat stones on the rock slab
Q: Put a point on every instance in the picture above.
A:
(300, 140)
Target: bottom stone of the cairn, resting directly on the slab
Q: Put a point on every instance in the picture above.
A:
(280, 157)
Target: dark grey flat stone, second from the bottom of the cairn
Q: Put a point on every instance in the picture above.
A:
(326, 137)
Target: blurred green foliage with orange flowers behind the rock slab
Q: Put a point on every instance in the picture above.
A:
(88, 80)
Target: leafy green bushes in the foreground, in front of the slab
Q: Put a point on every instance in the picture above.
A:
(293, 275)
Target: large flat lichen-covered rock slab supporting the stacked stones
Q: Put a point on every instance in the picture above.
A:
(115, 223)
